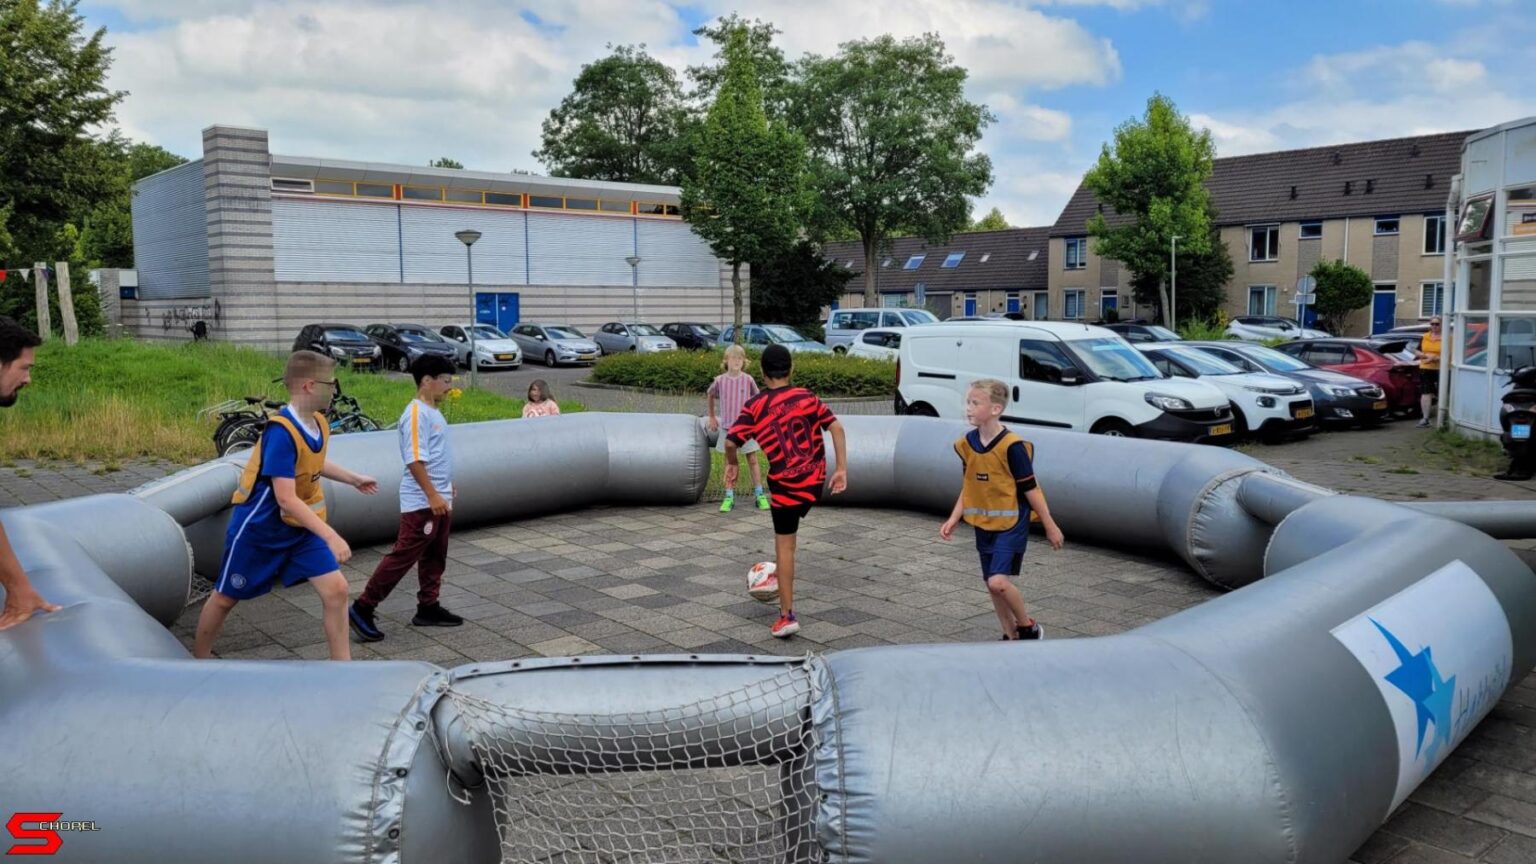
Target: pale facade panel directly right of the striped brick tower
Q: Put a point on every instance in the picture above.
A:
(336, 242)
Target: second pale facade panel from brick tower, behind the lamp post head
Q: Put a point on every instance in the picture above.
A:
(435, 256)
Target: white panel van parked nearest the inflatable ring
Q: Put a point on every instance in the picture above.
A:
(1061, 376)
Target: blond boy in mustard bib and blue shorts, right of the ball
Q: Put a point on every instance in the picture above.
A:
(996, 499)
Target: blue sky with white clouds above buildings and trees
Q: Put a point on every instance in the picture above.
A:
(409, 81)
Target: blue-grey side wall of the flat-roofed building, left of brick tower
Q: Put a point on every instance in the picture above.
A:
(171, 234)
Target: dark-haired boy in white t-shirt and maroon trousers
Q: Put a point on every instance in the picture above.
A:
(426, 508)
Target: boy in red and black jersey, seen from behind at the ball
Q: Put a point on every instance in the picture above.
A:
(787, 424)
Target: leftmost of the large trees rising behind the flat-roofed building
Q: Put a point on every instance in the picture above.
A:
(618, 124)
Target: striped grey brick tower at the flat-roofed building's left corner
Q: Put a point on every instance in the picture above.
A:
(237, 181)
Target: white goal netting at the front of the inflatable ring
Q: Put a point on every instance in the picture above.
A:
(723, 780)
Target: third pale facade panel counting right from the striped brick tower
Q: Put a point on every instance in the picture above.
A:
(580, 250)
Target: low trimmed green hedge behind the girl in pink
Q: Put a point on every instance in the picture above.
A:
(692, 371)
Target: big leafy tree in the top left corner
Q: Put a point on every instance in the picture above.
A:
(53, 96)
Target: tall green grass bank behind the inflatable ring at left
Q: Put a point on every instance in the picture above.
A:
(110, 400)
